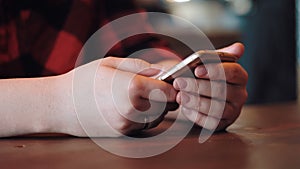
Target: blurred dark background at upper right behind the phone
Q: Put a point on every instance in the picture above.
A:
(266, 27)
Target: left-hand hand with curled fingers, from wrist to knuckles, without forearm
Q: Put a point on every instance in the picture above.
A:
(125, 94)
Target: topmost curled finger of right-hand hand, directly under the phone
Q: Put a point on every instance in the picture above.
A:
(232, 73)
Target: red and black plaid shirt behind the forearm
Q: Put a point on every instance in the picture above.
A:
(43, 38)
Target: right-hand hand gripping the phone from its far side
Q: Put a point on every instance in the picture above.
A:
(196, 99)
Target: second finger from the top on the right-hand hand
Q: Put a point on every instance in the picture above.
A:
(214, 89)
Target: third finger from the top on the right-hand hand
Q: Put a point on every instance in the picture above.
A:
(209, 107)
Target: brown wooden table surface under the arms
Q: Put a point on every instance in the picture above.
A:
(263, 137)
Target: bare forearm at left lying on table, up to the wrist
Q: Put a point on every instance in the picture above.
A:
(32, 105)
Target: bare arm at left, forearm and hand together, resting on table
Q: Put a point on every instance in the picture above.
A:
(45, 105)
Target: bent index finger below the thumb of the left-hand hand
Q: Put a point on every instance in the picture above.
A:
(143, 87)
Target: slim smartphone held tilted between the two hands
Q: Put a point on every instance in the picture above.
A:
(197, 58)
